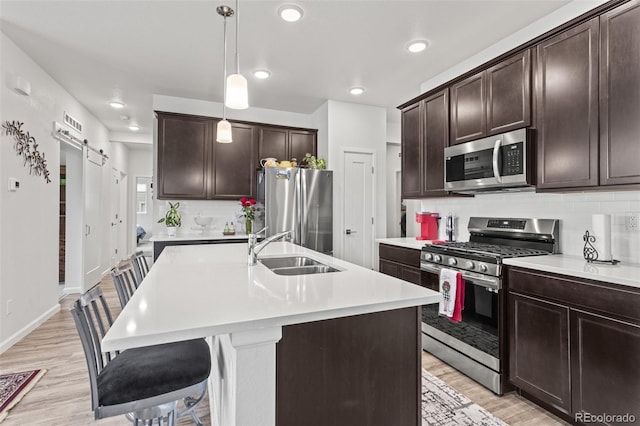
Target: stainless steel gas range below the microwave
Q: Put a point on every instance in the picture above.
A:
(476, 346)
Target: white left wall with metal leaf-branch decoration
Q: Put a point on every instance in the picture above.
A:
(29, 227)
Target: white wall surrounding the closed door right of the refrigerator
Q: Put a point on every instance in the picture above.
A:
(357, 126)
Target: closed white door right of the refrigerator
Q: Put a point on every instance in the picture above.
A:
(357, 237)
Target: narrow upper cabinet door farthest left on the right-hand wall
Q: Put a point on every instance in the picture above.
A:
(412, 176)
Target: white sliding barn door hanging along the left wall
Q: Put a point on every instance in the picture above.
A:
(92, 192)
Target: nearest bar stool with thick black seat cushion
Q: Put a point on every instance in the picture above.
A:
(145, 382)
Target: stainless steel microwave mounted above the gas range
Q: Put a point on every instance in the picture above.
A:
(493, 163)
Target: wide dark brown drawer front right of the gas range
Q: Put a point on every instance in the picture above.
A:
(615, 301)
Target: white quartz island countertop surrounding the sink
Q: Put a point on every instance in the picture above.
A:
(196, 291)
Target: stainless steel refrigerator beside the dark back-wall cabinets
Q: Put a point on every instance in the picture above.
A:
(300, 200)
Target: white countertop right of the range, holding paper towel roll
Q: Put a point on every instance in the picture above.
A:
(575, 266)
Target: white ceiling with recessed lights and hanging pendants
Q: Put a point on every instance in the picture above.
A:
(134, 49)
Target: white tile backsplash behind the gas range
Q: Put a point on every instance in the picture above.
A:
(573, 209)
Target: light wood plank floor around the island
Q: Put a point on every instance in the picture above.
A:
(62, 395)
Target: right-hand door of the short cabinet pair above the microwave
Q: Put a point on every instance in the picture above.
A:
(509, 94)
